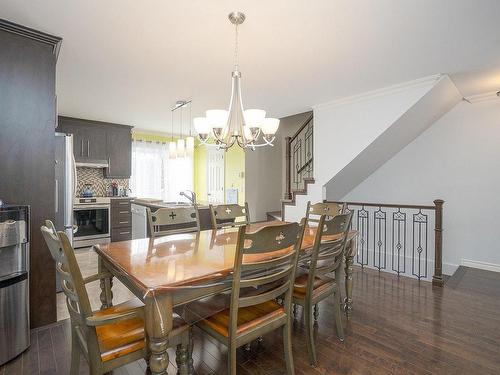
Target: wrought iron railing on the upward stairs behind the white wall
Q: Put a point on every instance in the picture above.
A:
(299, 159)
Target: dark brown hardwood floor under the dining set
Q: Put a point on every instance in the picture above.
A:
(398, 326)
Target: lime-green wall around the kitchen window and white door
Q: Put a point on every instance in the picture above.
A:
(234, 167)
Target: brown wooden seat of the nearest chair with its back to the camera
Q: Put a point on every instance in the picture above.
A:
(248, 318)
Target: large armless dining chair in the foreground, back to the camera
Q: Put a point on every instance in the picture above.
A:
(264, 269)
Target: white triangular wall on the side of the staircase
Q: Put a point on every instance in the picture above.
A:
(344, 128)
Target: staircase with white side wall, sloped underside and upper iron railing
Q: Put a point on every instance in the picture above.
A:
(354, 136)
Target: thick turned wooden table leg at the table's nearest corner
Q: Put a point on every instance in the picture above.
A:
(158, 322)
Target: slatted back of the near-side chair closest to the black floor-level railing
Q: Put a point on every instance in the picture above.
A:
(327, 255)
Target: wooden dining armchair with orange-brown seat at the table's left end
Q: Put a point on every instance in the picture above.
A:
(108, 338)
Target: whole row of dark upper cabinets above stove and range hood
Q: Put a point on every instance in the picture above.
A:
(102, 142)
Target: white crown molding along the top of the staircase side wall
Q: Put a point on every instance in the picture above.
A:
(389, 90)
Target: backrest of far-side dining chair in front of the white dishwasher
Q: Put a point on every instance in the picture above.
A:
(166, 221)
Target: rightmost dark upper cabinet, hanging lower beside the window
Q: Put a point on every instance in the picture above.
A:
(119, 147)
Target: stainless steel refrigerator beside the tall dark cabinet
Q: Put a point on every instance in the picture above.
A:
(65, 186)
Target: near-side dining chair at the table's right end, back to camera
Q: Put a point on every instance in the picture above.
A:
(316, 281)
